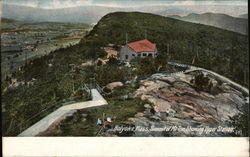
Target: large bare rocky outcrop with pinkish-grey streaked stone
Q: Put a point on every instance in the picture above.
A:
(176, 107)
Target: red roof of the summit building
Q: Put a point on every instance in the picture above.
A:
(142, 46)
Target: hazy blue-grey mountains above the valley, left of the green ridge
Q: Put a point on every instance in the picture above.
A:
(87, 14)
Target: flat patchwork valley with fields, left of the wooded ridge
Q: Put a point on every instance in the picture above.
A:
(24, 41)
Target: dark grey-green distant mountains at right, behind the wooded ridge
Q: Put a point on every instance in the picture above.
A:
(223, 21)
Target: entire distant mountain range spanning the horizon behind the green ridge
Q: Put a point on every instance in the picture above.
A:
(91, 14)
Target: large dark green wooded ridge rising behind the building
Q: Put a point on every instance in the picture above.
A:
(222, 51)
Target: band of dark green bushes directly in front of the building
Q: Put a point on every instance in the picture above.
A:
(111, 72)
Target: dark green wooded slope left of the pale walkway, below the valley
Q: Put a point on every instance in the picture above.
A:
(52, 85)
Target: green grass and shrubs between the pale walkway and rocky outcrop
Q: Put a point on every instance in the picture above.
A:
(118, 107)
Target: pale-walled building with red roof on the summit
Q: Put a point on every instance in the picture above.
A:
(138, 49)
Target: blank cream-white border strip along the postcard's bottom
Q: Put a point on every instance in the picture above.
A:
(125, 146)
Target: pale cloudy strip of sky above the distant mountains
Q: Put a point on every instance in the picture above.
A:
(56, 4)
